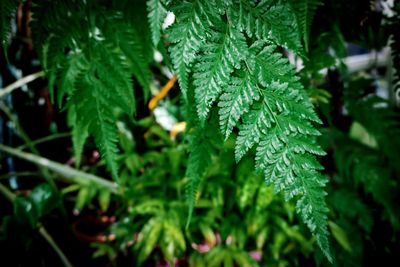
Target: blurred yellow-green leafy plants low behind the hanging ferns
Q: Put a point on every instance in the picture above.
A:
(233, 214)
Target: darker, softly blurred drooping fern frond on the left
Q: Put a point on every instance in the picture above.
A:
(91, 57)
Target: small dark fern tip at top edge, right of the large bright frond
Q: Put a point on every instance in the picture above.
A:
(305, 11)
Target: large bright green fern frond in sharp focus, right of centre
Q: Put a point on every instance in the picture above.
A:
(257, 92)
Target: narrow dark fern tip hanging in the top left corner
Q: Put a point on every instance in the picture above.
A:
(7, 7)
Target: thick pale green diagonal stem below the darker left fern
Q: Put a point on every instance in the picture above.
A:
(70, 174)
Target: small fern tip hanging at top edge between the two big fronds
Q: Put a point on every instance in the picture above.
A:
(156, 15)
